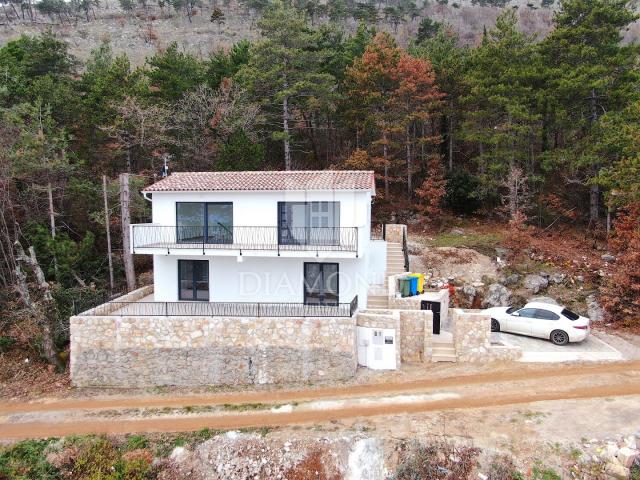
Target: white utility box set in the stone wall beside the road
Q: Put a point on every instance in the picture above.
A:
(377, 348)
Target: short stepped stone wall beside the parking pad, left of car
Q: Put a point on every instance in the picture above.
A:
(472, 338)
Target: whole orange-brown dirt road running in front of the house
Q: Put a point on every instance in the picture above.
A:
(514, 387)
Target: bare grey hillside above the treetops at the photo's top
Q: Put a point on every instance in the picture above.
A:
(142, 32)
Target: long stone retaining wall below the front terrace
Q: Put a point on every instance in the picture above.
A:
(191, 351)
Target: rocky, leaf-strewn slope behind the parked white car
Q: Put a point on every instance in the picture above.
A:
(488, 272)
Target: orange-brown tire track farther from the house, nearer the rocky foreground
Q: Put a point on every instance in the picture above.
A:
(18, 431)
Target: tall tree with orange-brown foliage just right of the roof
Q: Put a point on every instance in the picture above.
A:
(395, 103)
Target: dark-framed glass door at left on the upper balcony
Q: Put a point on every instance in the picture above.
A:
(199, 222)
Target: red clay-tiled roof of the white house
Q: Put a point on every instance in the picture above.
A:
(269, 180)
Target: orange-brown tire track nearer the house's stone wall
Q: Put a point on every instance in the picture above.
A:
(519, 373)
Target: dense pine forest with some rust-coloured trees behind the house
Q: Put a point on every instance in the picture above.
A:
(526, 130)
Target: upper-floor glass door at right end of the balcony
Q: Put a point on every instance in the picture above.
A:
(309, 223)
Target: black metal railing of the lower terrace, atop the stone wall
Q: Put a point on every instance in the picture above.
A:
(223, 309)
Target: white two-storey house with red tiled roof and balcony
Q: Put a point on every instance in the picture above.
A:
(276, 240)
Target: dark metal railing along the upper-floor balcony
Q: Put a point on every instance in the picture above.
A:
(148, 236)
